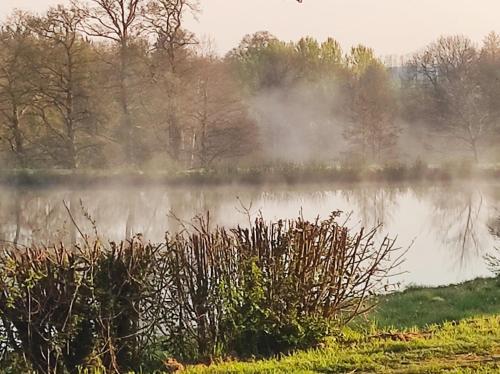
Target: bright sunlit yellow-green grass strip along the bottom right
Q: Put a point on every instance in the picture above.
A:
(471, 346)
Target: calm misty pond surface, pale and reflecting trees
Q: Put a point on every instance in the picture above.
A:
(447, 225)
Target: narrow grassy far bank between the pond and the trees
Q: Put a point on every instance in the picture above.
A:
(282, 173)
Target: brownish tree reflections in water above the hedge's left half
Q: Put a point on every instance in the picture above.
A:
(39, 216)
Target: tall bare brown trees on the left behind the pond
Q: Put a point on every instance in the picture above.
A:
(108, 83)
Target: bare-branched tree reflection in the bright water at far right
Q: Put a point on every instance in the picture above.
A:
(458, 221)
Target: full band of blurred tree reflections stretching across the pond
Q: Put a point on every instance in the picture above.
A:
(38, 216)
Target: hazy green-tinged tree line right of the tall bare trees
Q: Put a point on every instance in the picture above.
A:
(448, 91)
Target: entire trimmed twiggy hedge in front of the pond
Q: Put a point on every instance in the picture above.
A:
(203, 293)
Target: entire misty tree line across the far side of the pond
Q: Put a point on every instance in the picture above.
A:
(112, 83)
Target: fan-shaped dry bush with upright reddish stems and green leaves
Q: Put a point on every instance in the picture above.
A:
(272, 287)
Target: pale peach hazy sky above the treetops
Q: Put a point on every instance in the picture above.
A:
(389, 26)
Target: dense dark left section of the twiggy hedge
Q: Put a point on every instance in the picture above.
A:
(67, 308)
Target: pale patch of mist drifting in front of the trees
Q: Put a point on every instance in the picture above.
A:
(298, 124)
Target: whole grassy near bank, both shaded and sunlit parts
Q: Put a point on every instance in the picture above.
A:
(453, 329)
